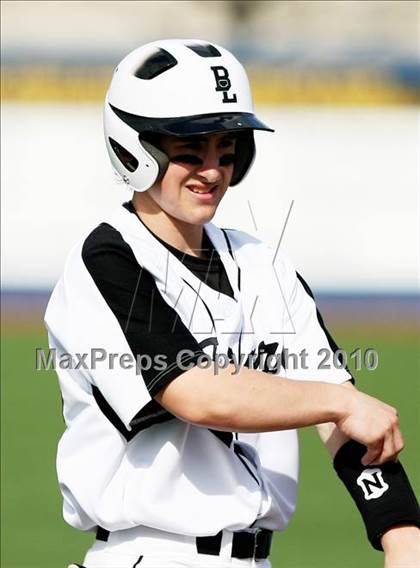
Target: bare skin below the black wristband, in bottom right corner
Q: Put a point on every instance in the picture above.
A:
(401, 545)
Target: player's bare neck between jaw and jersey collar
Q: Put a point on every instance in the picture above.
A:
(183, 236)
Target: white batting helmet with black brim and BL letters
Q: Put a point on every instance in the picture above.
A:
(180, 88)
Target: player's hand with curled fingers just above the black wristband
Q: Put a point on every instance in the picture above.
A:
(375, 425)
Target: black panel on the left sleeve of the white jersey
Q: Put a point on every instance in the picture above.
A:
(153, 329)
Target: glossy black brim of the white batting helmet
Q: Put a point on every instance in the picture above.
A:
(193, 125)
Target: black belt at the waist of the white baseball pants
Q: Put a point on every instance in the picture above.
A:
(244, 544)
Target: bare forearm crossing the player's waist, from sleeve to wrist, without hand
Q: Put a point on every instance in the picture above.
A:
(251, 401)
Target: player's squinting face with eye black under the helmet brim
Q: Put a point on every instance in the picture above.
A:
(199, 173)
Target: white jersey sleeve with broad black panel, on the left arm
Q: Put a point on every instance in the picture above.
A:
(108, 303)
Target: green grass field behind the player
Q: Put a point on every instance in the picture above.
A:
(325, 532)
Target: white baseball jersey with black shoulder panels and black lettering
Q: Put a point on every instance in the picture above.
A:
(123, 460)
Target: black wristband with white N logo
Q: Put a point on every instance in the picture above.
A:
(383, 493)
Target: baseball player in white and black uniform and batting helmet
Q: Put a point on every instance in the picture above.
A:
(180, 401)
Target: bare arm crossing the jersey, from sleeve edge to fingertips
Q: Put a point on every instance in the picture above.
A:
(253, 401)
